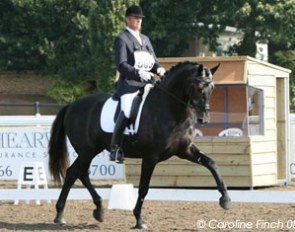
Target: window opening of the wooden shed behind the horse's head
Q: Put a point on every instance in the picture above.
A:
(236, 110)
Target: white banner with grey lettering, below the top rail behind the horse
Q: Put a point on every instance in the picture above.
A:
(30, 144)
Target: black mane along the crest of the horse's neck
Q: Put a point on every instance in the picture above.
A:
(180, 71)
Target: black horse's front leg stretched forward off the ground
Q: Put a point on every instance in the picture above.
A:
(195, 155)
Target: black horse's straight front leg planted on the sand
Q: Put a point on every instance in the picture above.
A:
(147, 168)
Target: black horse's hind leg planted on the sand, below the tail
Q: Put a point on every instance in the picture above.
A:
(70, 178)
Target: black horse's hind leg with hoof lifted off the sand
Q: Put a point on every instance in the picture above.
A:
(84, 177)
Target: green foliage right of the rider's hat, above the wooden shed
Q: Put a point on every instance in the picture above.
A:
(259, 20)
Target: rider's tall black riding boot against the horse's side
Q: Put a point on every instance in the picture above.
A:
(116, 152)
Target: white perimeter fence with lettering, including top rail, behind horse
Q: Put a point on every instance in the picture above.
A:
(25, 138)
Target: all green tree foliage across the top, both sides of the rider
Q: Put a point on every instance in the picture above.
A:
(72, 40)
